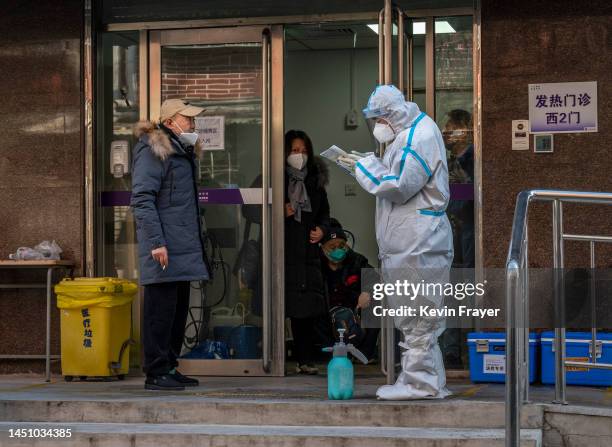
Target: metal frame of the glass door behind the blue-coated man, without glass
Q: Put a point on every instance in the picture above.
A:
(272, 38)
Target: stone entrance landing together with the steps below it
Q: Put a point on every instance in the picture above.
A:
(289, 411)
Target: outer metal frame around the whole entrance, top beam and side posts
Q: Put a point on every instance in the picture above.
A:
(88, 122)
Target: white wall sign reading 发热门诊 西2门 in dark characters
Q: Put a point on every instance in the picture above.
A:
(564, 107)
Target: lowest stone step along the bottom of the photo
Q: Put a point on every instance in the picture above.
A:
(199, 435)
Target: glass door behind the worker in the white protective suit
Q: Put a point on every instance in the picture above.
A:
(430, 59)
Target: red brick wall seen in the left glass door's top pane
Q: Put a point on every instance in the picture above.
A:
(211, 74)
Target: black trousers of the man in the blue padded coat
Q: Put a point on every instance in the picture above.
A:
(165, 313)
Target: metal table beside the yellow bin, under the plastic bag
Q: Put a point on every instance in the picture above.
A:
(49, 266)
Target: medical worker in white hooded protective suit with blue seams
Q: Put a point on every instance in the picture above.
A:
(413, 233)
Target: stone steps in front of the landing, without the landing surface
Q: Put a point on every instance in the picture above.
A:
(264, 422)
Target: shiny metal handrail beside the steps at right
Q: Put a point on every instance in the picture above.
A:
(517, 300)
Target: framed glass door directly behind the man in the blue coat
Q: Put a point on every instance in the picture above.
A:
(235, 321)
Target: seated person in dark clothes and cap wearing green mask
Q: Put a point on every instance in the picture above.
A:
(341, 268)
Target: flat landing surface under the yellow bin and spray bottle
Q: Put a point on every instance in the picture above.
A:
(313, 388)
